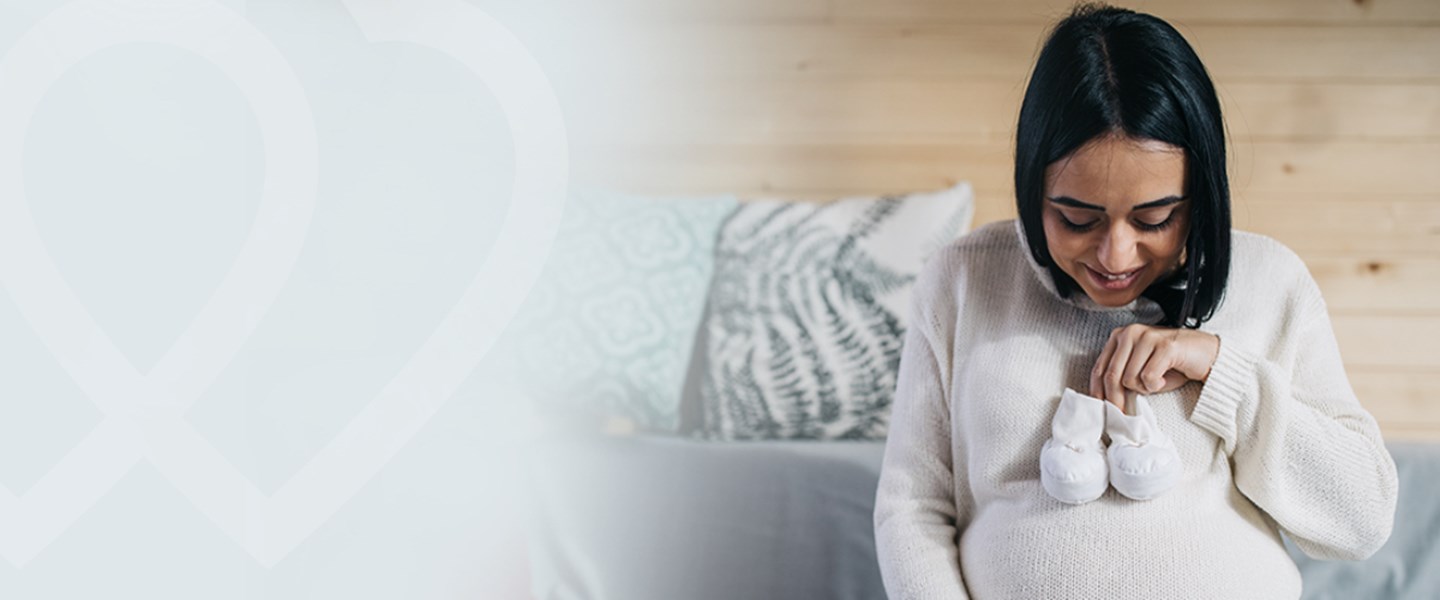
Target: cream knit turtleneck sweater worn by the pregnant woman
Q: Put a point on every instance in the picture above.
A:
(1275, 441)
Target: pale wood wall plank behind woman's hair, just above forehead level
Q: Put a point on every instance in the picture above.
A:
(863, 112)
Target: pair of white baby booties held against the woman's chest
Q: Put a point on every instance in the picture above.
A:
(1076, 468)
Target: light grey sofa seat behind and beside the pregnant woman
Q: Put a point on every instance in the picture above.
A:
(672, 519)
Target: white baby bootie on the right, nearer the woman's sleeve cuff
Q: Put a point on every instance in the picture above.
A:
(1144, 461)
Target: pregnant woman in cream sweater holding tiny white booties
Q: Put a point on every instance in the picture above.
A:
(1117, 395)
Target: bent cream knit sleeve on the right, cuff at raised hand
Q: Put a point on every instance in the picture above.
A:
(1301, 445)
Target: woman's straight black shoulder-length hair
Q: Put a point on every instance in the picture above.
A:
(1108, 71)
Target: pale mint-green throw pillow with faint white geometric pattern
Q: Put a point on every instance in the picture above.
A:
(608, 330)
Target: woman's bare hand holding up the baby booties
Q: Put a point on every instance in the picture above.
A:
(1151, 360)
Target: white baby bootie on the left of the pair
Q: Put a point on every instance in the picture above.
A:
(1072, 463)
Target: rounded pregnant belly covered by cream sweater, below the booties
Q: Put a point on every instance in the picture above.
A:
(1187, 545)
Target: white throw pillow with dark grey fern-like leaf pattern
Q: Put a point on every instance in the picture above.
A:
(809, 310)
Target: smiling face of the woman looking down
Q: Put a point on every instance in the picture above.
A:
(1117, 208)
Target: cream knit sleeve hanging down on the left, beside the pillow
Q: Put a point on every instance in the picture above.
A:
(917, 517)
